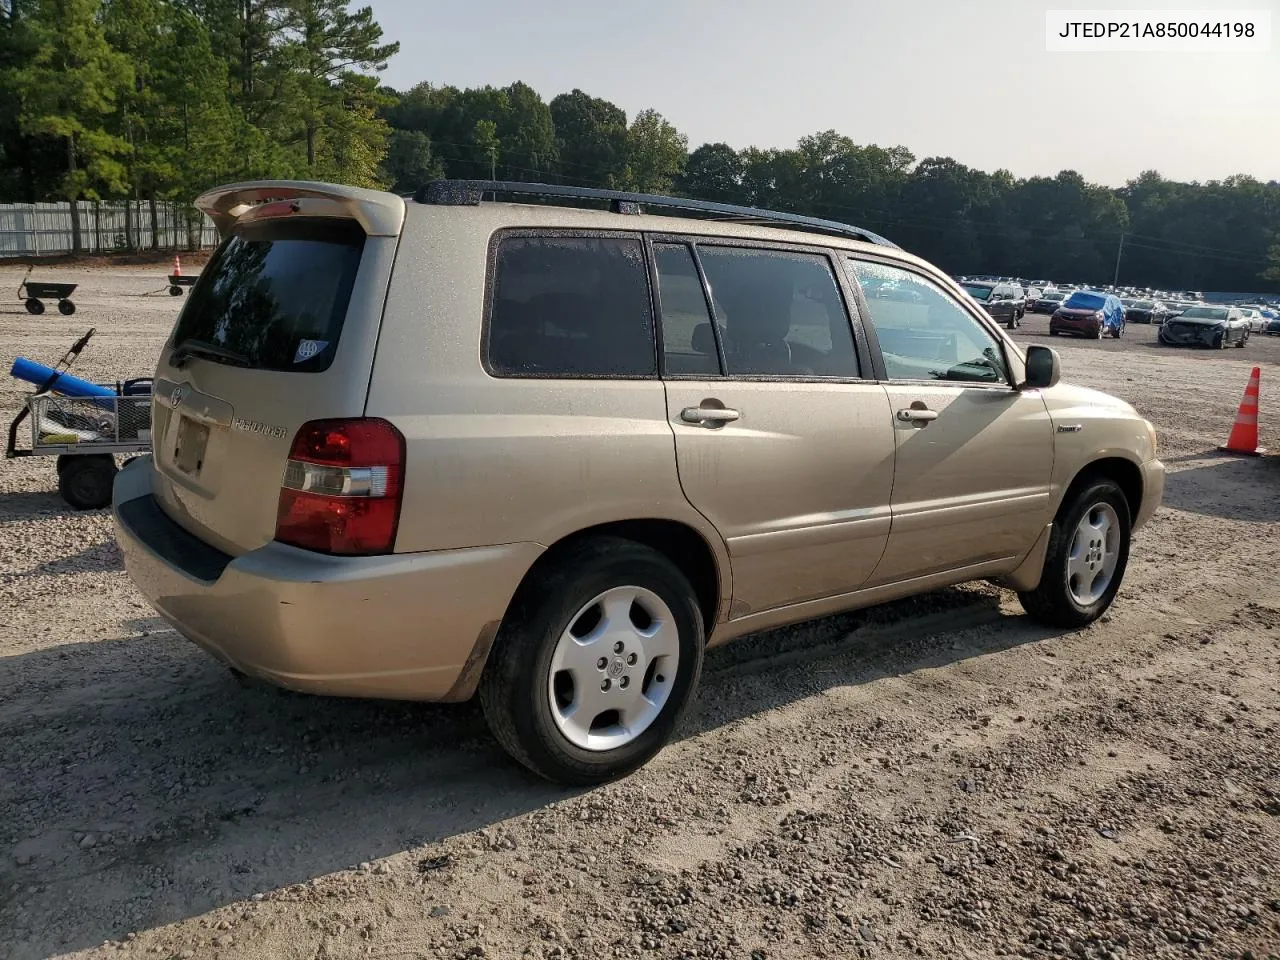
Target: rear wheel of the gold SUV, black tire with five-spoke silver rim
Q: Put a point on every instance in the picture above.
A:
(547, 697)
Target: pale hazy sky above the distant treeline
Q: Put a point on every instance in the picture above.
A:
(962, 79)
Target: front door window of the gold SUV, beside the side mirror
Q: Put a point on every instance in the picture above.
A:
(925, 335)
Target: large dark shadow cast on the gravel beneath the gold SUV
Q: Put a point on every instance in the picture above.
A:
(145, 785)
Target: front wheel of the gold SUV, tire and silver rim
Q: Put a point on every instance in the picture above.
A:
(1089, 552)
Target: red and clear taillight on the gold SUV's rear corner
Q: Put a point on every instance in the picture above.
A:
(342, 487)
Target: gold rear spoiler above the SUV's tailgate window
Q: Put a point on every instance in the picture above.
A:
(380, 213)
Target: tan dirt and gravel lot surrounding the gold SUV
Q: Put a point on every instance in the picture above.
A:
(936, 778)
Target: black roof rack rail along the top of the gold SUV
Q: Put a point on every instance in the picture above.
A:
(472, 193)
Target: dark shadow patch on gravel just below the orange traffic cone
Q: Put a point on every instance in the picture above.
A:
(1226, 486)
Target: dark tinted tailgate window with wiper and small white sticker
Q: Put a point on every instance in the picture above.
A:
(276, 295)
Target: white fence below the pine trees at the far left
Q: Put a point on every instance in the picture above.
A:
(42, 230)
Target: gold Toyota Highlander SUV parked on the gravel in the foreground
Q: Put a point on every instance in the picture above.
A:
(551, 451)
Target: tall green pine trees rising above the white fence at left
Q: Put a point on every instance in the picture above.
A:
(168, 98)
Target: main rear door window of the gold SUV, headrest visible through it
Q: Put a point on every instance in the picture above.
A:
(780, 314)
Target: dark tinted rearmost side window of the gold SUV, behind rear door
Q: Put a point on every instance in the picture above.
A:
(572, 308)
